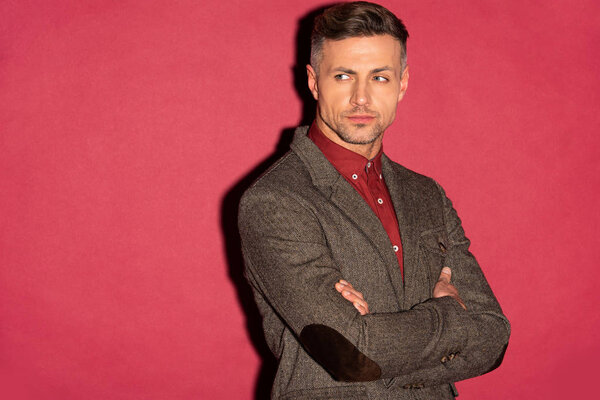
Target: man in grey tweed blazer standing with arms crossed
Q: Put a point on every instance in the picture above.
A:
(359, 266)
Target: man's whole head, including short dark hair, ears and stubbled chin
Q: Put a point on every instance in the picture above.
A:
(358, 73)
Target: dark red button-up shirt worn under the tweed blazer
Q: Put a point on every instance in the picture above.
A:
(366, 177)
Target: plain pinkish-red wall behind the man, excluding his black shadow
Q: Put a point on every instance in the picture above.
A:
(129, 128)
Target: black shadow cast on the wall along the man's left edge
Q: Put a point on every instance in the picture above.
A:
(230, 203)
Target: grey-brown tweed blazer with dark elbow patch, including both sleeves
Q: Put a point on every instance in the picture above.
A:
(303, 228)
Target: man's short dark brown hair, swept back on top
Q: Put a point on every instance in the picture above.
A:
(355, 19)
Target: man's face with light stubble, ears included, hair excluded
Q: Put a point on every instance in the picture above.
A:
(358, 84)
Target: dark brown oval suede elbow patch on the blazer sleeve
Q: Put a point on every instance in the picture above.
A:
(338, 355)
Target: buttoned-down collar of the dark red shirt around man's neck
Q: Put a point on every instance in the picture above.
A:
(345, 161)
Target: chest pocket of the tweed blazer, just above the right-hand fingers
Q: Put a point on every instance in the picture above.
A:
(434, 248)
